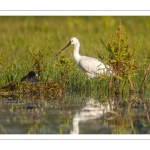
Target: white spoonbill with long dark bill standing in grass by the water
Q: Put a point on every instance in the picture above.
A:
(91, 66)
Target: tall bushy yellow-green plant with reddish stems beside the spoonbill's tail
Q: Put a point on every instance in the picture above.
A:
(121, 60)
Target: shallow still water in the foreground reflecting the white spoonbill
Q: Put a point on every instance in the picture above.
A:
(69, 115)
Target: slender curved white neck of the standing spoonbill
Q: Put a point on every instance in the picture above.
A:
(76, 54)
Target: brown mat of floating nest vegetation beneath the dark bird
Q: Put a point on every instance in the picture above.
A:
(46, 89)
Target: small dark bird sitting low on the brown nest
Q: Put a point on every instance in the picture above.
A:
(30, 77)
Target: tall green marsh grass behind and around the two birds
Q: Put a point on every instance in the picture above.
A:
(42, 37)
